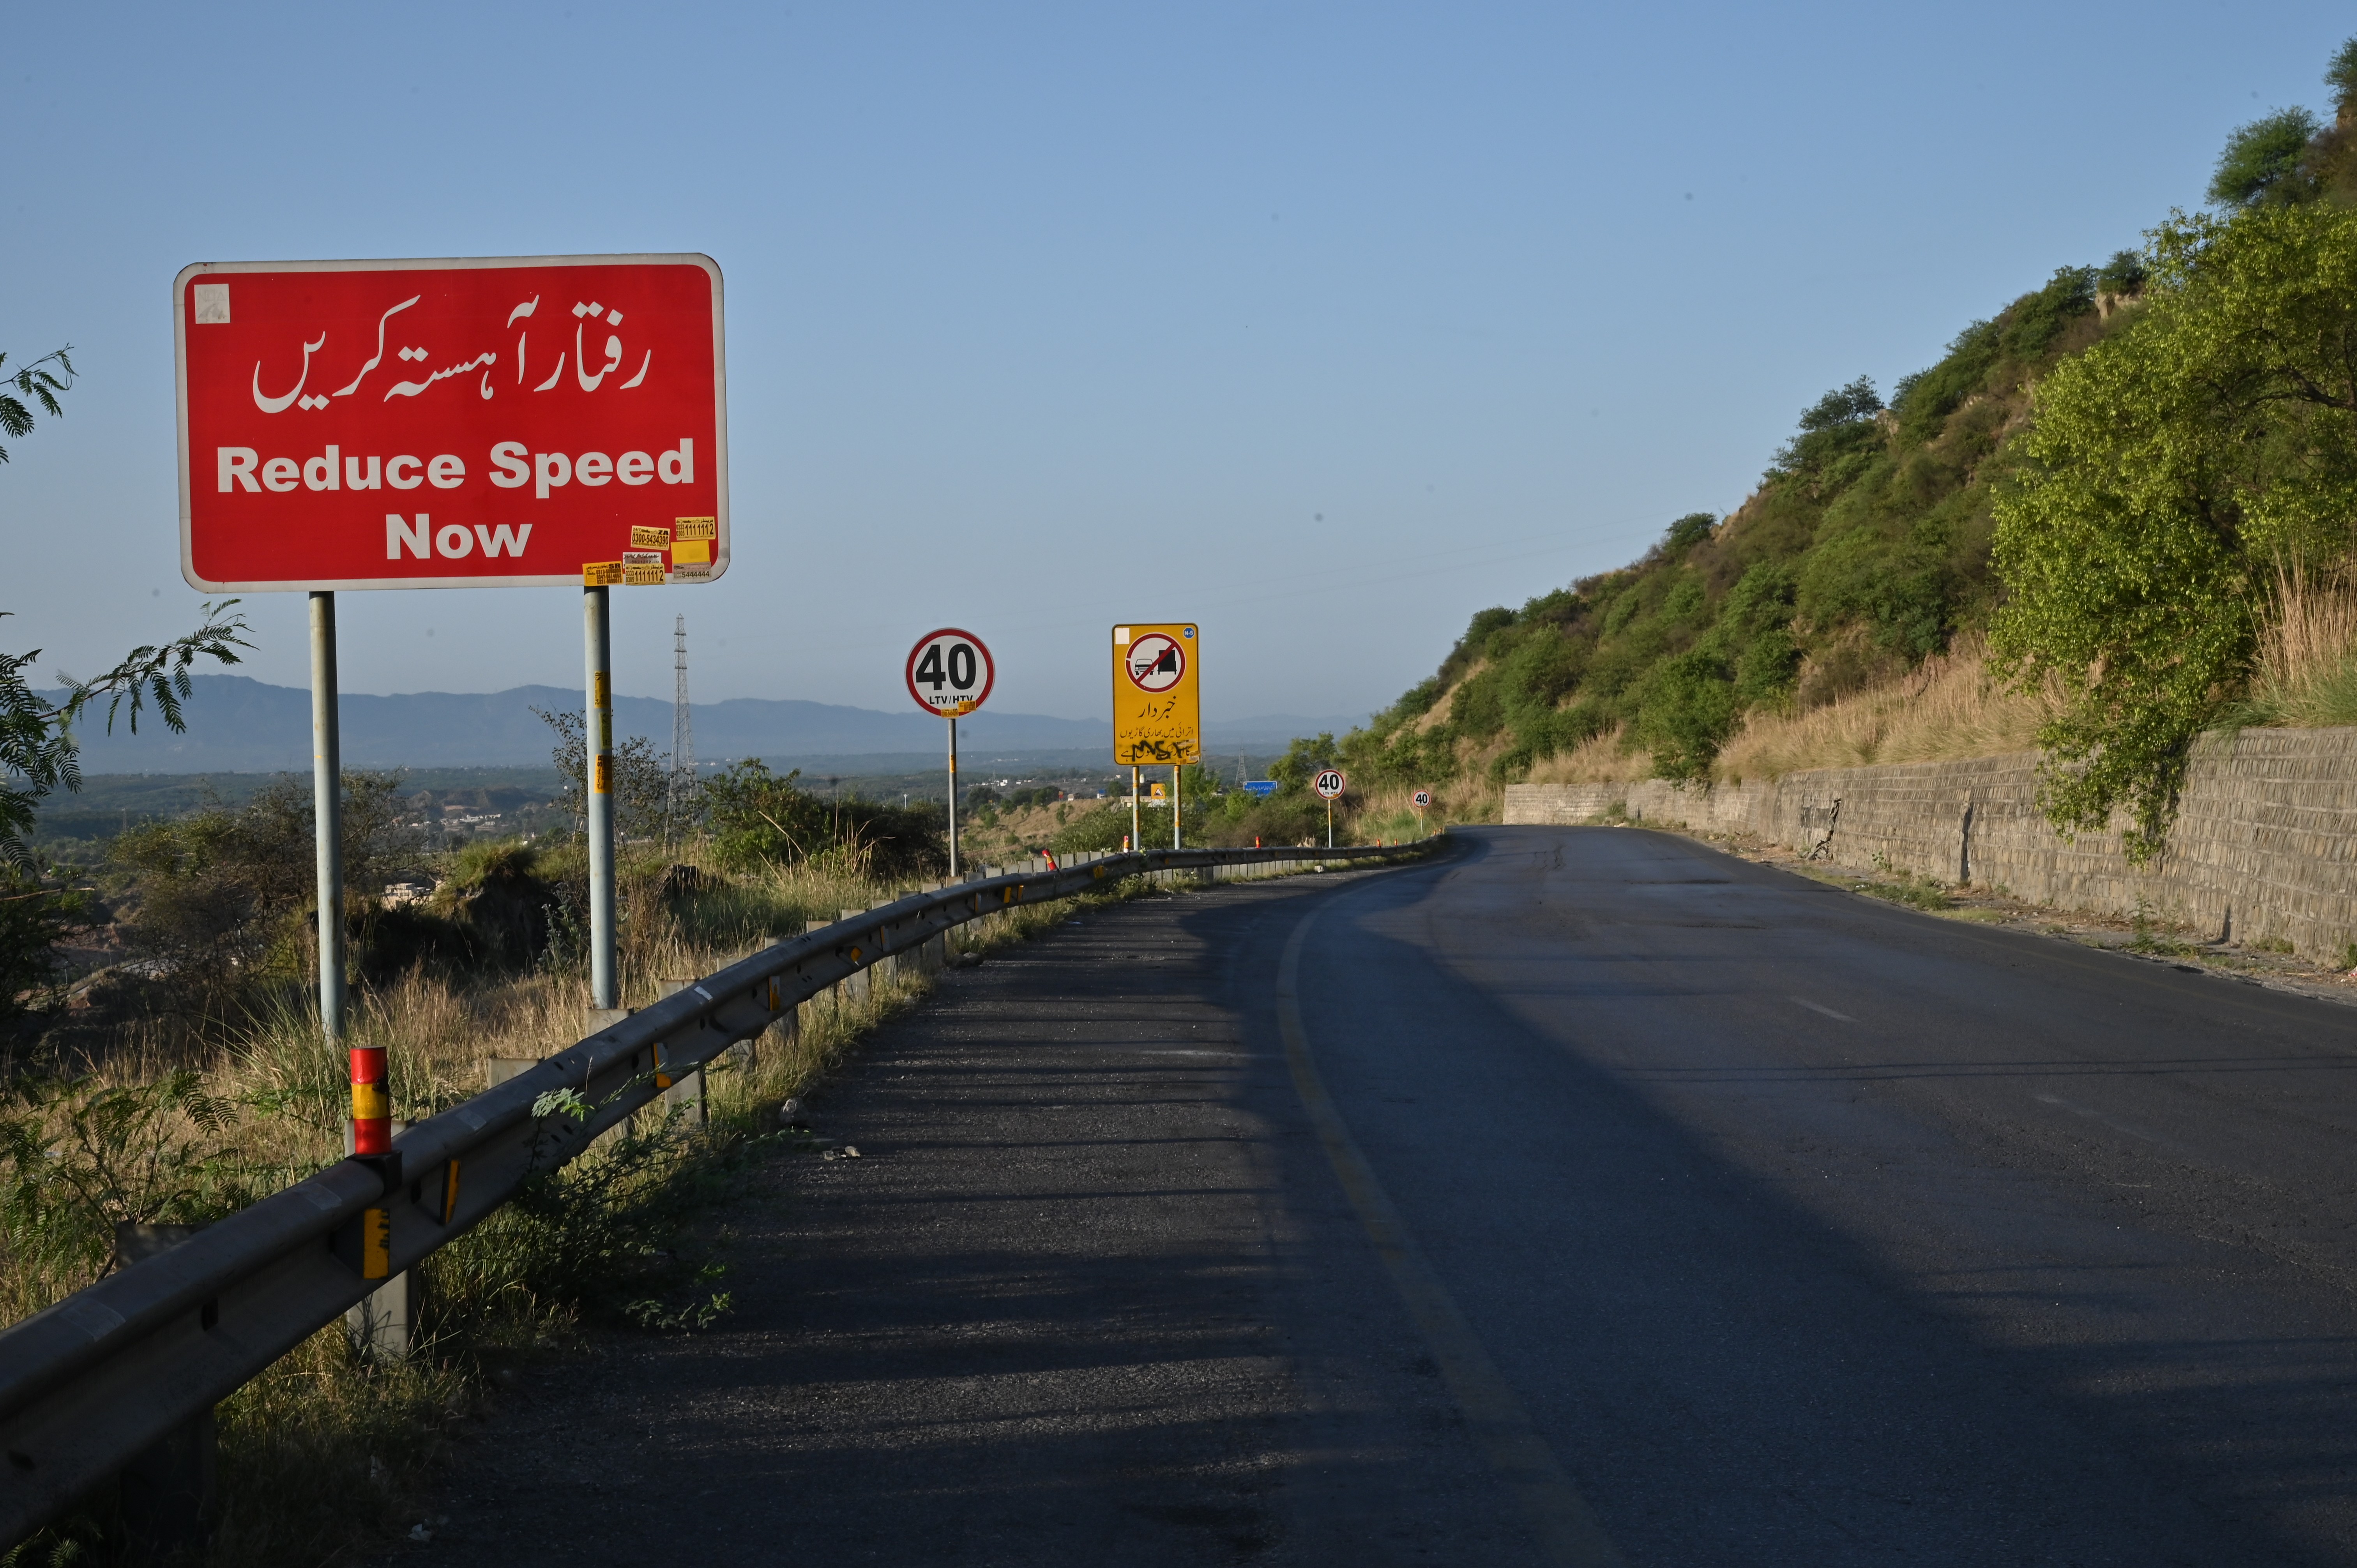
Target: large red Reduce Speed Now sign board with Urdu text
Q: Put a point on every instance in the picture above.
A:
(473, 423)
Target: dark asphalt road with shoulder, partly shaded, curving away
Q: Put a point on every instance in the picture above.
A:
(1587, 1197)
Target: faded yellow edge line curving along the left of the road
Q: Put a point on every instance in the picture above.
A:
(1559, 1515)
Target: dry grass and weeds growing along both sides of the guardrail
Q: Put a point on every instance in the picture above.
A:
(324, 1447)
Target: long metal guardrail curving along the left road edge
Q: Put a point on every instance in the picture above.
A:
(117, 1369)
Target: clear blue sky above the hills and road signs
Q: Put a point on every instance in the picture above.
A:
(1316, 324)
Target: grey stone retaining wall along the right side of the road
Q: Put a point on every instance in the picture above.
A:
(2266, 843)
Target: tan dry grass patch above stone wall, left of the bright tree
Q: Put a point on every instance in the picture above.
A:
(1946, 709)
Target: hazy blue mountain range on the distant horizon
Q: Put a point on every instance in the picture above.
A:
(239, 725)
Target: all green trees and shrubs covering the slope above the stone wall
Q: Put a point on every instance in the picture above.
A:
(2122, 480)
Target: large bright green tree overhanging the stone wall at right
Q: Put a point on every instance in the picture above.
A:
(2165, 477)
